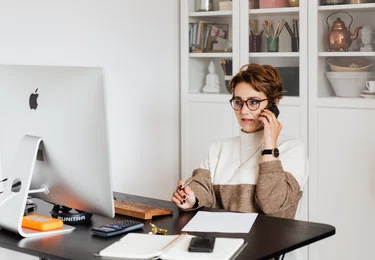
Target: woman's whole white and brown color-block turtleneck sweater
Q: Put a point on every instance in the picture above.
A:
(234, 178)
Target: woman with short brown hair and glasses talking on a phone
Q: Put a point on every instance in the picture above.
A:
(258, 171)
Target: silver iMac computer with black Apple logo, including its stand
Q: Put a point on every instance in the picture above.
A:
(53, 141)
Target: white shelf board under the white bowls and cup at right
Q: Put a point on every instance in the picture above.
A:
(340, 102)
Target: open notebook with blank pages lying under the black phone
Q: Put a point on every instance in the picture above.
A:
(145, 246)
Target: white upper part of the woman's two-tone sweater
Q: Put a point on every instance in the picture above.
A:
(227, 155)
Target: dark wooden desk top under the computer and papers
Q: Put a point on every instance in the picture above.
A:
(269, 237)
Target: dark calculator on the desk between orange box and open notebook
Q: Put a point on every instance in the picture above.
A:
(117, 228)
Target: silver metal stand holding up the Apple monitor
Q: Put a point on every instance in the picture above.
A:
(13, 204)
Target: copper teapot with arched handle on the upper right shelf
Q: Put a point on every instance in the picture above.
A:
(339, 37)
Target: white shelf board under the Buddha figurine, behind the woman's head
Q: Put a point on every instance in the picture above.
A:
(224, 98)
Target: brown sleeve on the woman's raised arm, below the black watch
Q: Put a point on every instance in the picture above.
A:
(277, 192)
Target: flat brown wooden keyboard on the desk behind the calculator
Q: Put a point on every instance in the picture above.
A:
(138, 210)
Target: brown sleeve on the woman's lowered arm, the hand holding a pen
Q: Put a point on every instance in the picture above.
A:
(202, 187)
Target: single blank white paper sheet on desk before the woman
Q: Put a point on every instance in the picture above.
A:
(225, 222)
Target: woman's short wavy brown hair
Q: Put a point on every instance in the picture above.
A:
(264, 78)
